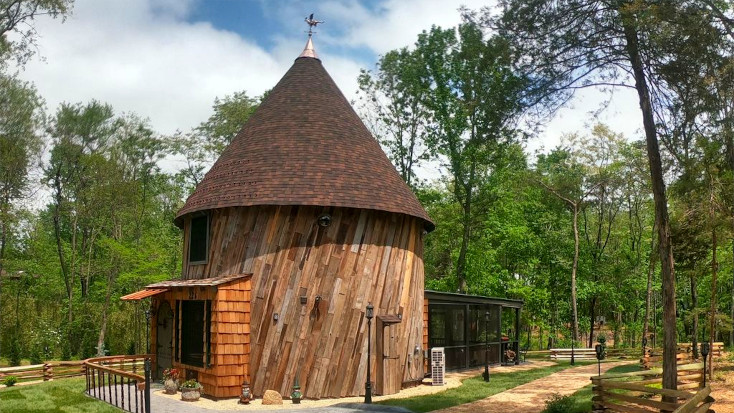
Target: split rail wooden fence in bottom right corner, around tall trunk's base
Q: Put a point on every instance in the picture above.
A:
(638, 392)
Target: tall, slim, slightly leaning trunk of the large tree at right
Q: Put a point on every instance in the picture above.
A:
(670, 372)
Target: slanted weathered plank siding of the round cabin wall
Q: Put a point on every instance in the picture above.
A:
(363, 256)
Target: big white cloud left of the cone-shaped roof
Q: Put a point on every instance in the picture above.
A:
(138, 59)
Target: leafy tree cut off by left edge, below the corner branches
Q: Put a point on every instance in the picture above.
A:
(21, 123)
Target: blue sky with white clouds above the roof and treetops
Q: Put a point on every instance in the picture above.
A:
(167, 60)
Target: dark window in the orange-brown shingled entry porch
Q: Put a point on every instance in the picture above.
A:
(195, 332)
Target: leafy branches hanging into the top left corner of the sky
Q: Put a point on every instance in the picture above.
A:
(16, 17)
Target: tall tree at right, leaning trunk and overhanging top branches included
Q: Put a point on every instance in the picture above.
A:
(568, 45)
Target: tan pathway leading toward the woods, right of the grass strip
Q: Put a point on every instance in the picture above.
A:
(531, 397)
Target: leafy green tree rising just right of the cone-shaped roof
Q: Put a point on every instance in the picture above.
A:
(473, 100)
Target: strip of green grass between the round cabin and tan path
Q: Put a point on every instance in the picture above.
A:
(475, 388)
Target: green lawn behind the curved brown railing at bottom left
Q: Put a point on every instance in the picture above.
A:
(59, 396)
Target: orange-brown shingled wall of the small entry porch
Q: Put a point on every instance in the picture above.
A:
(230, 335)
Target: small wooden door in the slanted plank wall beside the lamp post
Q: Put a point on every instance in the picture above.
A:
(389, 373)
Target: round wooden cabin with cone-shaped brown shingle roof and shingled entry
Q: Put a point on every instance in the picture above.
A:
(300, 224)
